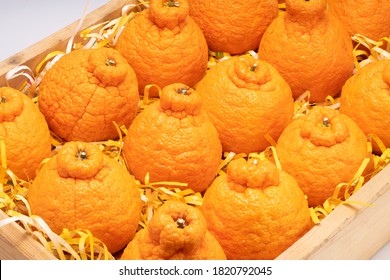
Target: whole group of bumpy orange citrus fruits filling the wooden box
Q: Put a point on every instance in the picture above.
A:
(206, 128)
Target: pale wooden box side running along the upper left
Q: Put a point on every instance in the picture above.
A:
(34, 54)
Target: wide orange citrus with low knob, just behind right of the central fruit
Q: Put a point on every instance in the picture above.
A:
(246, 99)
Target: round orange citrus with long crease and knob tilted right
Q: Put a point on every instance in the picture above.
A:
(86, 91)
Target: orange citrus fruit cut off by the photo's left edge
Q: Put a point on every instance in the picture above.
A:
(25, 133)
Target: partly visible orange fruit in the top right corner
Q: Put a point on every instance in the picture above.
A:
(368, 18)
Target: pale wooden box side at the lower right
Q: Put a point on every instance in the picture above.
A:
(350, 231)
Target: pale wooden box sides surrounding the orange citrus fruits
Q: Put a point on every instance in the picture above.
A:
(351, 231)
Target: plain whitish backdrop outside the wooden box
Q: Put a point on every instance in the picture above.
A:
(25, 22)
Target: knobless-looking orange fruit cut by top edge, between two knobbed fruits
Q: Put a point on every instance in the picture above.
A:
(233, 26)
